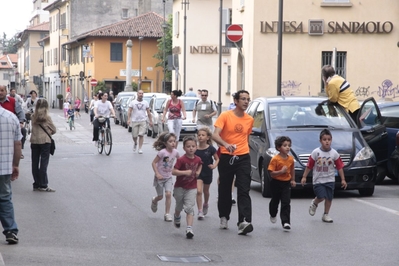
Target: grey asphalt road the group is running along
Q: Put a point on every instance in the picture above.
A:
(100, 215)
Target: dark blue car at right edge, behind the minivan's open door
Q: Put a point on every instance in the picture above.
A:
(387, 166)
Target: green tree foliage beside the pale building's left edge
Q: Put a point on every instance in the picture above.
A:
(168, 48)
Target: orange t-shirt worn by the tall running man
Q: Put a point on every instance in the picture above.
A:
(235, 130)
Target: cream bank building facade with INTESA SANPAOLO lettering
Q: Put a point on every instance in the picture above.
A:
(360, 39)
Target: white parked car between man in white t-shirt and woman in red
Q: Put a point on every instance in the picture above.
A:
(156, 102)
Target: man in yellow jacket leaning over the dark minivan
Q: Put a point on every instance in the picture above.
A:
(338, 91)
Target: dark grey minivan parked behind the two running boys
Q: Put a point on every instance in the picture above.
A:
(302, 119)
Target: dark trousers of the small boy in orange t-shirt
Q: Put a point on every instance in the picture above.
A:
(281, 192)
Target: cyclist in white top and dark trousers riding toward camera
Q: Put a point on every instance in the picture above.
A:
(103, 108)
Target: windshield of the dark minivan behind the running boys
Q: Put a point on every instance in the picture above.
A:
(306, 114)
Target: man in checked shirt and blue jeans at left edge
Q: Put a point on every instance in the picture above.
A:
(10, 154)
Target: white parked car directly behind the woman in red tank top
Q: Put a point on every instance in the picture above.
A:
(188, 127)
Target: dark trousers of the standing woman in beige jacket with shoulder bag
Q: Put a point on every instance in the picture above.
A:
(40, 160)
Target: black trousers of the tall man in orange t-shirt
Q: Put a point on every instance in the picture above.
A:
(240, 167)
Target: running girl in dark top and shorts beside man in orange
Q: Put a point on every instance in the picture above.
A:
(210, 160)
